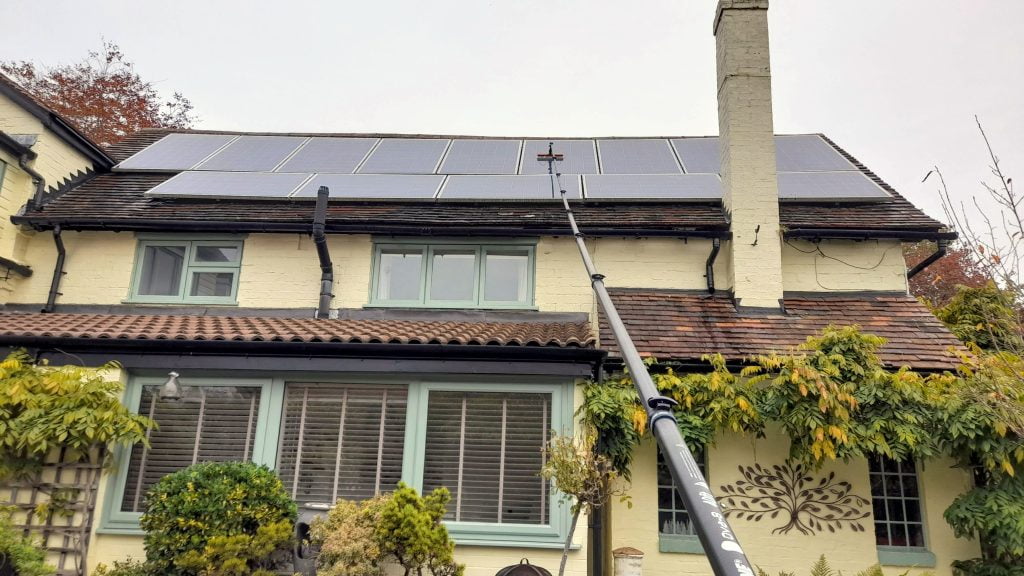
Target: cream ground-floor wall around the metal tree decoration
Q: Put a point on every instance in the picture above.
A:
(847, 551)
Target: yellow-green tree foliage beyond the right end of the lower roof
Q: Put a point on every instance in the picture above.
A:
(987, 317)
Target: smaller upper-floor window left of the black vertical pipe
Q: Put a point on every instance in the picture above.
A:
(196, 271)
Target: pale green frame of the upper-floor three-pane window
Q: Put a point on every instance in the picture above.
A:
(428, 252)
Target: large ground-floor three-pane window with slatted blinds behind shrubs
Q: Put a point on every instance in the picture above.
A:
(354, 440)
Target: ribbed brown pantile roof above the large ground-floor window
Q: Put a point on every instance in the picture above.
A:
(258, 330)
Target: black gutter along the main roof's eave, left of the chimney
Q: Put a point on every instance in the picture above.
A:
(163, 225)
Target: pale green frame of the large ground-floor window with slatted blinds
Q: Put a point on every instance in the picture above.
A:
(270, 433)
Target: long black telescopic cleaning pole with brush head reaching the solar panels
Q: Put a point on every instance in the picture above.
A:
(719, 541)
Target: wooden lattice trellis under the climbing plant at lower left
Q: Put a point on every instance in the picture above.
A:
(69, 490)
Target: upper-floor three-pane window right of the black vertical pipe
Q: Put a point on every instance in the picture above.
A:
(453, 275)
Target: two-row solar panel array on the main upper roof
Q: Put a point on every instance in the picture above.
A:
(483, 170)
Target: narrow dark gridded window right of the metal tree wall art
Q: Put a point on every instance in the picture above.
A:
(900, 528)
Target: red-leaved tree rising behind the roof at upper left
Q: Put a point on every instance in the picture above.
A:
(102, 95)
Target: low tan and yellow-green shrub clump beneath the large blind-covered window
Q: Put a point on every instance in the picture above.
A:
(362, 539)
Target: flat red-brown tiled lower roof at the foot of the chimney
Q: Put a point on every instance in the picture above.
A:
(685, 326)
